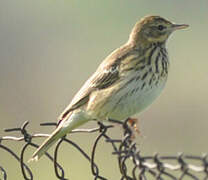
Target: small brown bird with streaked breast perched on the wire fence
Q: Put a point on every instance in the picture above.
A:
(124, 84)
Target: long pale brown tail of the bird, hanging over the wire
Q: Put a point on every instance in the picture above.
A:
(64, 127)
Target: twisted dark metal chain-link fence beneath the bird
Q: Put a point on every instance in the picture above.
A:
(154, 167)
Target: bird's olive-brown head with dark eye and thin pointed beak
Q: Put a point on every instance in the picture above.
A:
(153, 29)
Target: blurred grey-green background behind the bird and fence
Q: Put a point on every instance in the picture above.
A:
(48, 48)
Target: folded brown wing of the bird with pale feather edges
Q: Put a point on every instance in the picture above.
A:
(105, 76)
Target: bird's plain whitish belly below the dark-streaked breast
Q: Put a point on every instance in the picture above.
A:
(135, 99)
